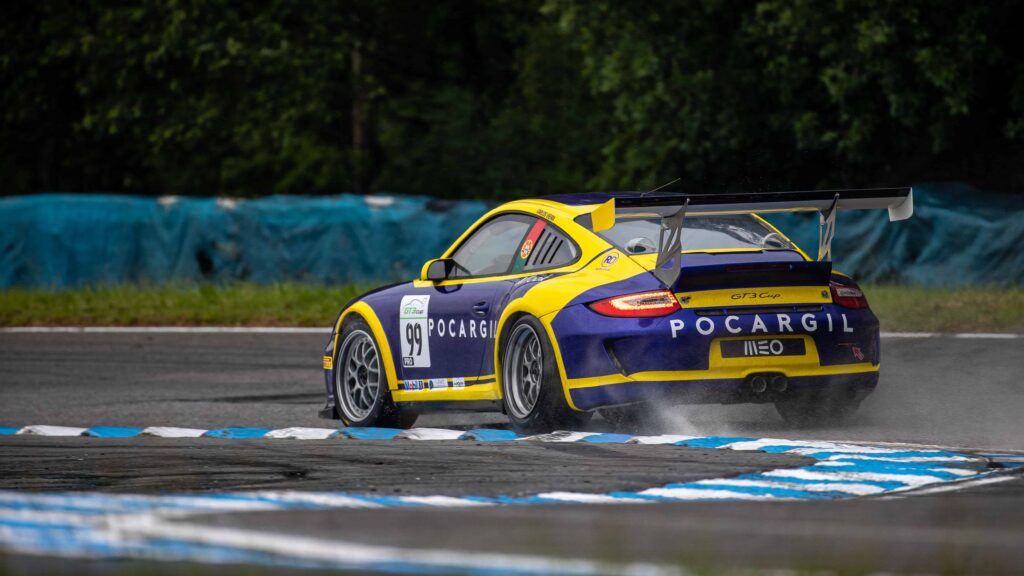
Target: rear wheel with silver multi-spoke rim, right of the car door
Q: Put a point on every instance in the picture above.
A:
(532, 389)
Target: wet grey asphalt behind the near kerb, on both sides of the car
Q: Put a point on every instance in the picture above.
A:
(946, 391)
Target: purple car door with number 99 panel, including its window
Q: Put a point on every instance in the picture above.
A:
(459, 315)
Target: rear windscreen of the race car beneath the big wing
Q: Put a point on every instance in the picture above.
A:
(637, 230)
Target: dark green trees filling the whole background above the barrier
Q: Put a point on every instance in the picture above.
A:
(497, 99)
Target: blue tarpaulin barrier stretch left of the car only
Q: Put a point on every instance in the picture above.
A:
(61, 241)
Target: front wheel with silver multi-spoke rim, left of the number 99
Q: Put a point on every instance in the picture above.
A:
(362, 394)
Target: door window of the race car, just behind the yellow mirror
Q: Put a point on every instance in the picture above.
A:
(491, 250)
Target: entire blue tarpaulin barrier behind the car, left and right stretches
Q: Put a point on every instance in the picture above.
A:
(958, 236)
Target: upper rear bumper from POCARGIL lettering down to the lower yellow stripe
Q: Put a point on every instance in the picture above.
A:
(687, 343)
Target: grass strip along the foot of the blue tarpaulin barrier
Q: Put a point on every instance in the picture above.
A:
(900, 308)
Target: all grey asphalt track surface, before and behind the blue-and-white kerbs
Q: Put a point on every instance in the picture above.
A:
(947, 392)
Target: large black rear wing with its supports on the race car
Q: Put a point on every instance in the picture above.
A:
(899, 201)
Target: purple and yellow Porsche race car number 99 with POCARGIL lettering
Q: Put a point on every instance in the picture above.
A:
(552, 309)
